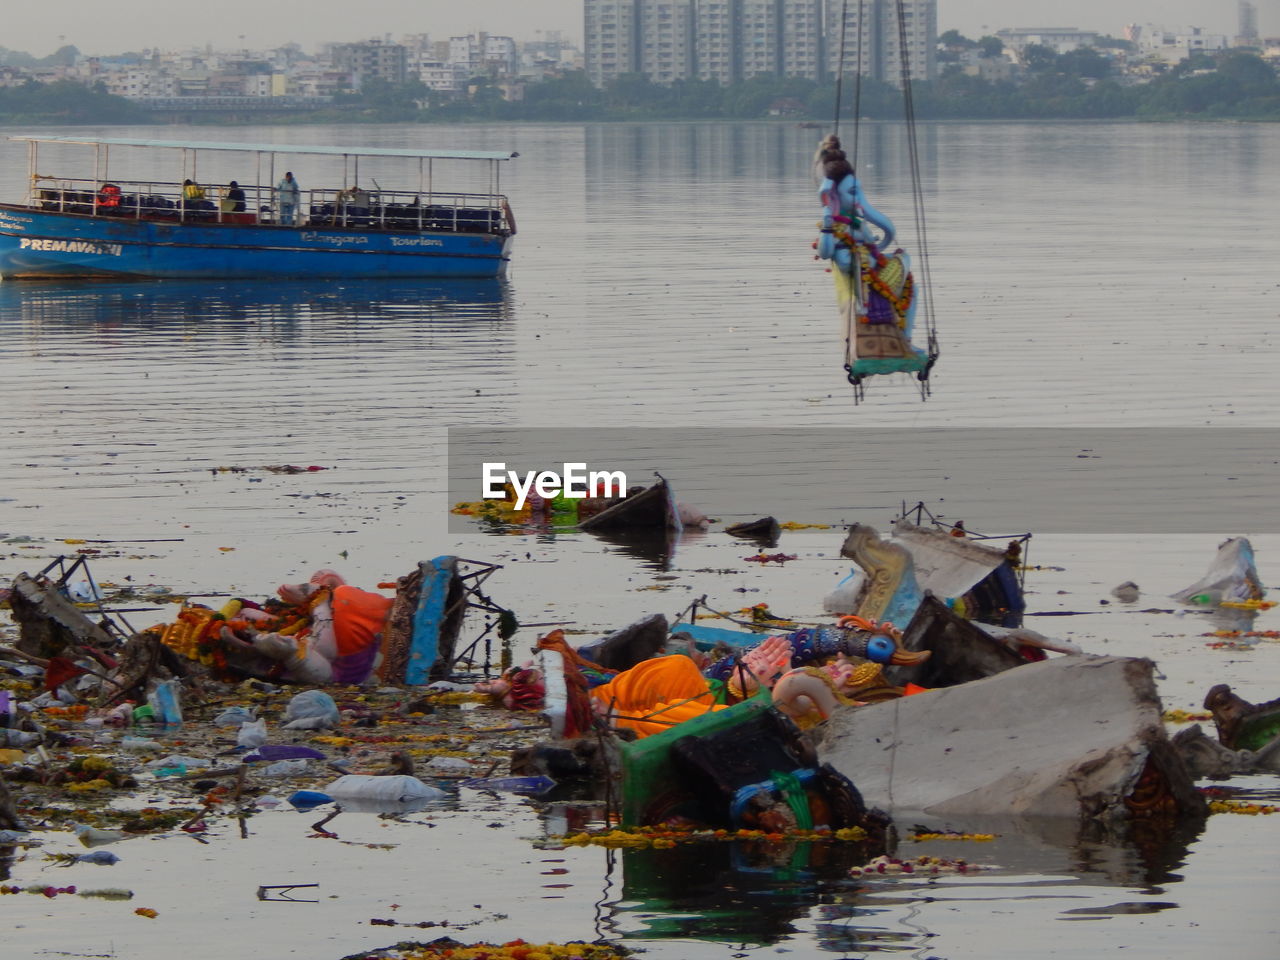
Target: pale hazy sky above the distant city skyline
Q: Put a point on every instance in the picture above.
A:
(116, 26)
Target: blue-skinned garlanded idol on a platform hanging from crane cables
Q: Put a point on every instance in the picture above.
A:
(875, 286)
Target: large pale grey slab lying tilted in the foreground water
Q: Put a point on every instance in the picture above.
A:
(1066, 738)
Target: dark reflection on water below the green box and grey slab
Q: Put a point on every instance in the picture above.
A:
(761, 893)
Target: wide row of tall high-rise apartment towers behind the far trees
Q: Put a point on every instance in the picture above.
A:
(734, 40)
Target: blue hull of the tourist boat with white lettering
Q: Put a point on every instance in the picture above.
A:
(39, 245)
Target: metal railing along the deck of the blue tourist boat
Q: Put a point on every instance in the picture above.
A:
(351, 208)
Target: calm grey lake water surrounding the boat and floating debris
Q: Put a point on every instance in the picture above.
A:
(1086, 278)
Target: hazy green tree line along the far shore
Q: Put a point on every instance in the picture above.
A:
(1077, 85)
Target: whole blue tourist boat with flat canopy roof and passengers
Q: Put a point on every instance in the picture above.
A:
(106, 227)
